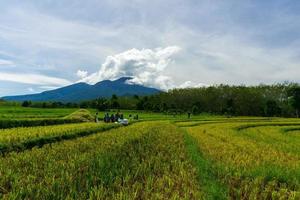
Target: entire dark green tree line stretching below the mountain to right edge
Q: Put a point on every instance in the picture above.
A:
(282, 100)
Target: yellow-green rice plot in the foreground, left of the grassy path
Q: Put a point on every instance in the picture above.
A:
(142, 161)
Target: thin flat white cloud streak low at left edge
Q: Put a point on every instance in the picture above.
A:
(34, 79)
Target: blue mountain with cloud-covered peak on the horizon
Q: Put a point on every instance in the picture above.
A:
(83, 91)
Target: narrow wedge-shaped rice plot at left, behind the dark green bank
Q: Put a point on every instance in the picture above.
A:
(19, 139)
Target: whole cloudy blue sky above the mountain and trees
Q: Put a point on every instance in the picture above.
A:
(164, 44)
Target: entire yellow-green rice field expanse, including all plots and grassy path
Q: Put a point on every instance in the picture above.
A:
(157, 157)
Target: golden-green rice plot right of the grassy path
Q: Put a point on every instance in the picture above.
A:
(258, 161)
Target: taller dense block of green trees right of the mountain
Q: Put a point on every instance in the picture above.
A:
(263, 100)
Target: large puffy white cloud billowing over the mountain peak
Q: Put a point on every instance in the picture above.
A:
(145, 66)
